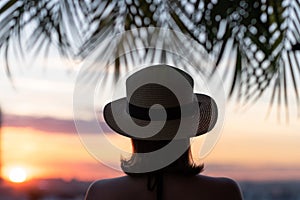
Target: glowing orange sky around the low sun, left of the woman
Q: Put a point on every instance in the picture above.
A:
(48, 155)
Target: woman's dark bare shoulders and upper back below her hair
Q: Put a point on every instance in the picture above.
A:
(175, 187)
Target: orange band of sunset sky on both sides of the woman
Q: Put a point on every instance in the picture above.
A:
(271, 153)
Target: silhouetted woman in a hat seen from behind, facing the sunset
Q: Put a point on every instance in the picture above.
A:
(162, 166)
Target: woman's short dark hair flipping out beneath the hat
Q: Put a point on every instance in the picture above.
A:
(183, 165)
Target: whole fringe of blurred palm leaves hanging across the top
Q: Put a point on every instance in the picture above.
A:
(261, 36)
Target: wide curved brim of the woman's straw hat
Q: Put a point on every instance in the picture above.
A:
(194, 125)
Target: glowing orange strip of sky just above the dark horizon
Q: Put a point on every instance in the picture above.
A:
(44, 155)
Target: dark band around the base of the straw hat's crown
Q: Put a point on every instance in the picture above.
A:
(172, 112)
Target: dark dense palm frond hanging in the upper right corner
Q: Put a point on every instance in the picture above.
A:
(261, 31)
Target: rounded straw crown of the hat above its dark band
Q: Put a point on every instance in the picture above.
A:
(160, 84)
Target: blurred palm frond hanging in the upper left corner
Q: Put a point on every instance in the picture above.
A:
(49, 22)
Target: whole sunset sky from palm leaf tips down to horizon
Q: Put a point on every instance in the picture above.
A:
(39, 134)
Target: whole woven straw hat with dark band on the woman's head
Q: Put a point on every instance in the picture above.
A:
(160, 105)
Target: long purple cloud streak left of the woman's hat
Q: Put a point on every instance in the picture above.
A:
(52, 125)
